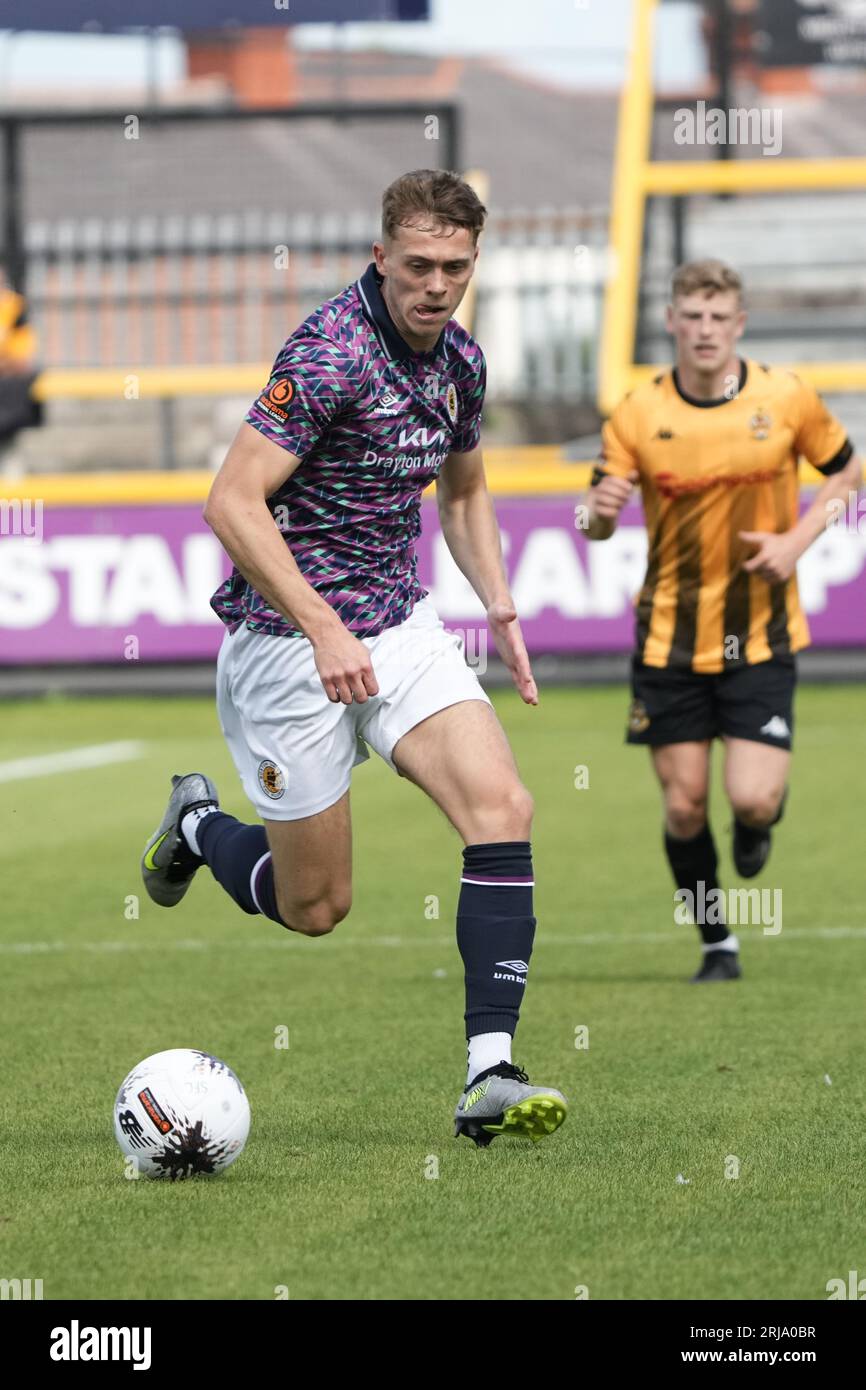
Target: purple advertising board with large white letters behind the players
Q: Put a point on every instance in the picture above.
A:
(117, 583)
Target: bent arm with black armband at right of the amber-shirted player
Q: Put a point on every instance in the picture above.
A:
(825, 444)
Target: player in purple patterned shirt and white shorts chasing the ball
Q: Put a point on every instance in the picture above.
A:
(332, 644)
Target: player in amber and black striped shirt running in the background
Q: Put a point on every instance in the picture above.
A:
(715, 445)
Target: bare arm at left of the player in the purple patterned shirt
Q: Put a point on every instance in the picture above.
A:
(237, 512)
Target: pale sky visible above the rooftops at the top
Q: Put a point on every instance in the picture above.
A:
(576, 44)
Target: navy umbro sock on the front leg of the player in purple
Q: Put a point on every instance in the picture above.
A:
(496, 931)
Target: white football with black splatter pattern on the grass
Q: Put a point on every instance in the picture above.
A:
(181, 1113)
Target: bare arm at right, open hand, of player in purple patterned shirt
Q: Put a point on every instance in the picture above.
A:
(472, 533)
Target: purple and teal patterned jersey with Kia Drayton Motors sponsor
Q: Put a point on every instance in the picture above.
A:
(372, 422)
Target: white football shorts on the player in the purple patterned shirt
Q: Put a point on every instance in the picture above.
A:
(295, 749)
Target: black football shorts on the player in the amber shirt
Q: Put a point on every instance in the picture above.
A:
(680, 707)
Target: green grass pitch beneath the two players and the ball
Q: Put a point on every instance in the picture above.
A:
(330, 1197)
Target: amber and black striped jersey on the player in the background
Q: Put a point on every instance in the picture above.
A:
(708, 471)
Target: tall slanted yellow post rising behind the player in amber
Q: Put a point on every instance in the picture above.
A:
(633, 140)
